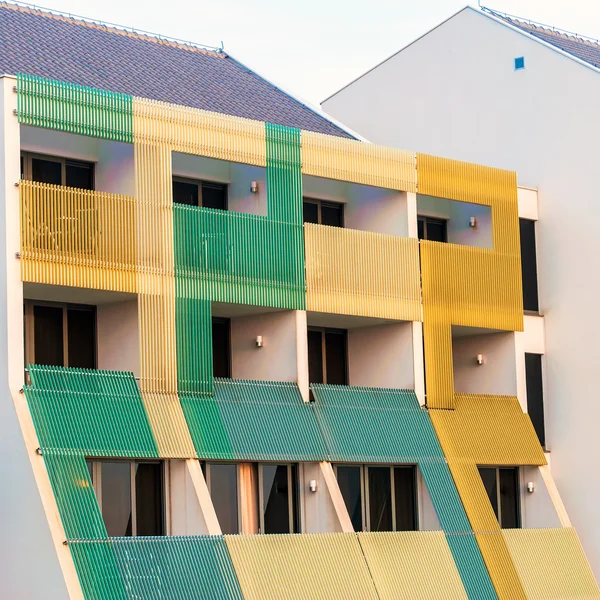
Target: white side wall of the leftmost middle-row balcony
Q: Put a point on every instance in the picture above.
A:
(118, 337)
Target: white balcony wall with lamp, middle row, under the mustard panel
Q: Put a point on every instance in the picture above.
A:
(497, 374)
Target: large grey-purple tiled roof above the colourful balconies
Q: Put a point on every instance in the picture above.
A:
(91, 54)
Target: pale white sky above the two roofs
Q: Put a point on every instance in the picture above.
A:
(312, 48)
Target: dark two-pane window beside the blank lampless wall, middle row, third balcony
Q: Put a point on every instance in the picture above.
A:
(328, 356)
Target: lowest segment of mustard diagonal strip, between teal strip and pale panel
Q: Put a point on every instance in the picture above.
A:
(500, 566)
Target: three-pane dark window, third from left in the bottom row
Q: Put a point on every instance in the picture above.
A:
(379, 498)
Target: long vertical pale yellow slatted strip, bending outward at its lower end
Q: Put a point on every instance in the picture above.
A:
(156, 301)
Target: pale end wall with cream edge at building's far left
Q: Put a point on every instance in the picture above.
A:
(32, 533)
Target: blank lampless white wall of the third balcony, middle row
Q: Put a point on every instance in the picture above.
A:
(381, 356)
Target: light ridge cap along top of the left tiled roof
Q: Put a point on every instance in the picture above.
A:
(113, 28)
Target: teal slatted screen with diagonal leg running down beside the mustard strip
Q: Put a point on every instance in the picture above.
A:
(378, 425)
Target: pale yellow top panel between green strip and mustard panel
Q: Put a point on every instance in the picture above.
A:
(358, 162)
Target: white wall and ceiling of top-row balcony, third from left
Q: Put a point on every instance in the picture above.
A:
(366, 208)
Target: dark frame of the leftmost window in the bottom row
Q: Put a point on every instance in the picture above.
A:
(95, 468)
